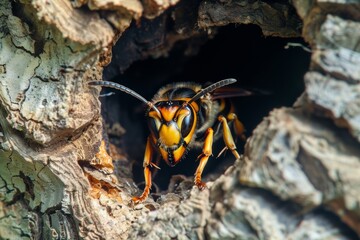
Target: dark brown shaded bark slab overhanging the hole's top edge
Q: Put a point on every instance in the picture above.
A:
(274, 18)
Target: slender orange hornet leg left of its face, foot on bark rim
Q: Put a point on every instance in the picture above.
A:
(147, 173)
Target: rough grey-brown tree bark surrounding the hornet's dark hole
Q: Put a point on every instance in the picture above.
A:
(298, 178)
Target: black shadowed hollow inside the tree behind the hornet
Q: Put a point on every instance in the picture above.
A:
(240, 52)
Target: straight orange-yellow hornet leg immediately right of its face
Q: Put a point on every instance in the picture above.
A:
(204, 156)
